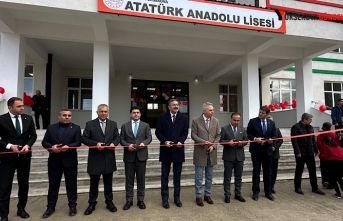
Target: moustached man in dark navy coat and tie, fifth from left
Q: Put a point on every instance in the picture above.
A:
(172, 131)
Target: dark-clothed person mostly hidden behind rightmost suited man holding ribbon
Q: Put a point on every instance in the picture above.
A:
(276, 154)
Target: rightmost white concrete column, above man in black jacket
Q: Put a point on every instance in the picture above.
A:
(304, 88)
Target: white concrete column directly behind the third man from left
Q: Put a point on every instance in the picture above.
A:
(101, 74)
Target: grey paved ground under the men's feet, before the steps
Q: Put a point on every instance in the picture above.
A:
(288, 205)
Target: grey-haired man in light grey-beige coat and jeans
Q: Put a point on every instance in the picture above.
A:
(206, 132)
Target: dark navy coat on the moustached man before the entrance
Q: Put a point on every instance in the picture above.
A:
(177, 132)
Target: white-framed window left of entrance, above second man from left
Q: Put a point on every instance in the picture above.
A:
(79, 93)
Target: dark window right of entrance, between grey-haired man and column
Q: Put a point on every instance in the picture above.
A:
(228, 98)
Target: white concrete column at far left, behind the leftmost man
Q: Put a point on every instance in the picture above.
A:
(12, 67)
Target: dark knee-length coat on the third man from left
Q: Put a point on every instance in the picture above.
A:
(104, 161)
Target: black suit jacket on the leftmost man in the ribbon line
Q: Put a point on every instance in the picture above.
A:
(8, 135)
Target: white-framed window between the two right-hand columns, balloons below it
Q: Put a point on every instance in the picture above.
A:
(282, 90)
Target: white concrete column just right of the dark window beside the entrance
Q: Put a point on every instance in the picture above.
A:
(250, 88)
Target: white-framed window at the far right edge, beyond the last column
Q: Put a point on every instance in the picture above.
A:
(332, 92)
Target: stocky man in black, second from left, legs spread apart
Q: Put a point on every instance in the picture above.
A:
(58, 139)
